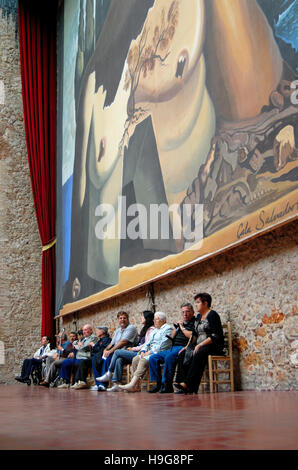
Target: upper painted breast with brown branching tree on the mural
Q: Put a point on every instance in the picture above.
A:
(173, 39)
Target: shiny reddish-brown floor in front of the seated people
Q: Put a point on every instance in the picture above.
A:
(38, 418)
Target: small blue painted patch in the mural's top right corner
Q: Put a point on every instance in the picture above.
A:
(286, 27)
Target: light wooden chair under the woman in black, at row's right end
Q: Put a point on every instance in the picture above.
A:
(212, 374)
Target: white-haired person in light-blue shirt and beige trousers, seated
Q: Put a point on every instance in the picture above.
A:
(159, 341)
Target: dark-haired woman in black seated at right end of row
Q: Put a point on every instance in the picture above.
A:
(207, 340)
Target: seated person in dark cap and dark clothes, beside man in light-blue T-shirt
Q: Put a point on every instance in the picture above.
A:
(95, 361)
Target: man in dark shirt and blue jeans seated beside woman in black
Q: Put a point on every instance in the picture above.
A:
(180, 337)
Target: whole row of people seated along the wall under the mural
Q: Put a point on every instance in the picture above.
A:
(182, 349)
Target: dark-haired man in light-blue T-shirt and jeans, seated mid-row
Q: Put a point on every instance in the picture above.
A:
(126, 335)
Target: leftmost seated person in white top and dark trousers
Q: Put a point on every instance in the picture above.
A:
(33, 366)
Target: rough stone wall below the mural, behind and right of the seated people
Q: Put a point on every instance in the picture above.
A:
(253, 285)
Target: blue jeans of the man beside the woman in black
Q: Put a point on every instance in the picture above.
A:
(168, 358)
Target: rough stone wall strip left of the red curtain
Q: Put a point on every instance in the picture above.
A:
(20, 249)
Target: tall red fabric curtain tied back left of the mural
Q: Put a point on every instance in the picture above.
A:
(37, 40)
